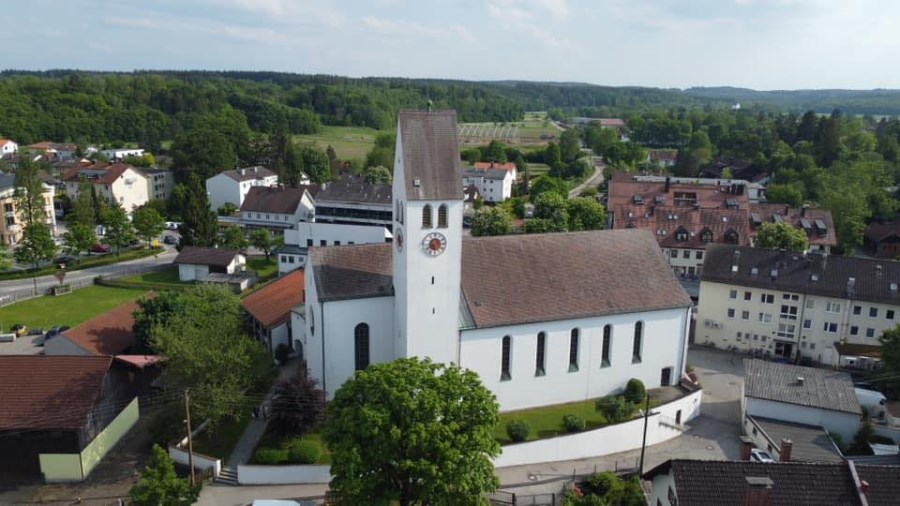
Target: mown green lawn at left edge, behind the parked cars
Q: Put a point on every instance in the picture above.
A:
(69, 310)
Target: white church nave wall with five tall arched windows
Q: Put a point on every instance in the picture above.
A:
(662, 347)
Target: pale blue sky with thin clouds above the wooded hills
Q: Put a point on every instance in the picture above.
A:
(760, 44)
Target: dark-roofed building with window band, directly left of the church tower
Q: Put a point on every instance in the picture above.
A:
(352, 201)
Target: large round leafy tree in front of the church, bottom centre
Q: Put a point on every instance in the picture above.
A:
(414, 432)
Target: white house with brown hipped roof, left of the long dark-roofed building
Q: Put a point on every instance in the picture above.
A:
(278, 208)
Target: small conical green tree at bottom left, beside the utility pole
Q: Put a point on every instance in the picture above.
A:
(159, 485)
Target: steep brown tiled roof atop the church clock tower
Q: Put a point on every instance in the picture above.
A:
(430, 155)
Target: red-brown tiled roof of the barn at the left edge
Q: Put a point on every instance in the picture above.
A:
(49, 392)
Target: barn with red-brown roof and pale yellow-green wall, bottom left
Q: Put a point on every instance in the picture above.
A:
(60, 415)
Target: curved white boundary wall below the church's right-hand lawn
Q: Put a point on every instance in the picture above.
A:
(605, 440)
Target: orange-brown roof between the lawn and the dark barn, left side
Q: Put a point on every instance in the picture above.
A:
(107, 334)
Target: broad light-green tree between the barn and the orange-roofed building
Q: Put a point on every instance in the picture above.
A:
(207, 350)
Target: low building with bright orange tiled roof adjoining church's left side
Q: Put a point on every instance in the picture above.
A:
(270, 311)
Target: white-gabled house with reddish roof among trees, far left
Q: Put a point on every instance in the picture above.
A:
(118, 184)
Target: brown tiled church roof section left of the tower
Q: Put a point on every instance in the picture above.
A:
(351, 272)
